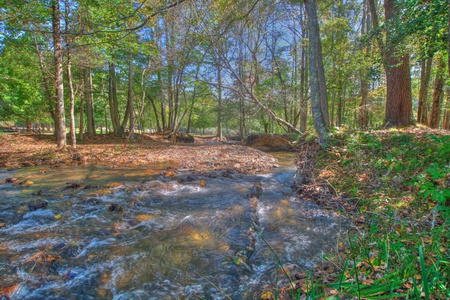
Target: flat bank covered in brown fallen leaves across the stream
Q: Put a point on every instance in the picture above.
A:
(23, 150)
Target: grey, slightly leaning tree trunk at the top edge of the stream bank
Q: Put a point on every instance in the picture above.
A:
(315, 80)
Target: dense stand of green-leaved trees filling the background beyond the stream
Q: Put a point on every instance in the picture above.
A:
(232, 66)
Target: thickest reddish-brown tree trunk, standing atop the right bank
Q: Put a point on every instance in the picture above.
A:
(398, 78)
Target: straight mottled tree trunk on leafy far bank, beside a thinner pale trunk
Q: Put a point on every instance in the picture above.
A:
(58, 53)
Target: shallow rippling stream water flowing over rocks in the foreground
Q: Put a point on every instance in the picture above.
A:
(137, 234)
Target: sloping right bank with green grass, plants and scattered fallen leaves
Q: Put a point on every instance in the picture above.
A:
(395, 187)
